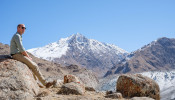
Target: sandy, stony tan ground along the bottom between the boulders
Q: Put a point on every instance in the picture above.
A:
(52, 94)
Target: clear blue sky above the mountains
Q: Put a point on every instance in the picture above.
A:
(129, 24)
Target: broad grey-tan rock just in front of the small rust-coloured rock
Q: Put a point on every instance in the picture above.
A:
(72, 88)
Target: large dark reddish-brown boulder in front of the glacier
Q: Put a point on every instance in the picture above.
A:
(137, 86)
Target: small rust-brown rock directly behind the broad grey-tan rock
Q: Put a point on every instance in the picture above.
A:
(70, 78)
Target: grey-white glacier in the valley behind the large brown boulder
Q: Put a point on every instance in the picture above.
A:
(165, 80)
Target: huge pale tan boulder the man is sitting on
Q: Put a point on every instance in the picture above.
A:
(16, 81)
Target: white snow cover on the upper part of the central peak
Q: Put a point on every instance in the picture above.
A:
(58, 49)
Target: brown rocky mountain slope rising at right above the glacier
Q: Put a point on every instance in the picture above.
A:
(156, 56)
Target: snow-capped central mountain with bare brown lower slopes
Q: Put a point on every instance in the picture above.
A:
(77, 49)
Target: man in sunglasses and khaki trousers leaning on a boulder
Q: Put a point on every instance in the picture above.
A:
(18, 52)
